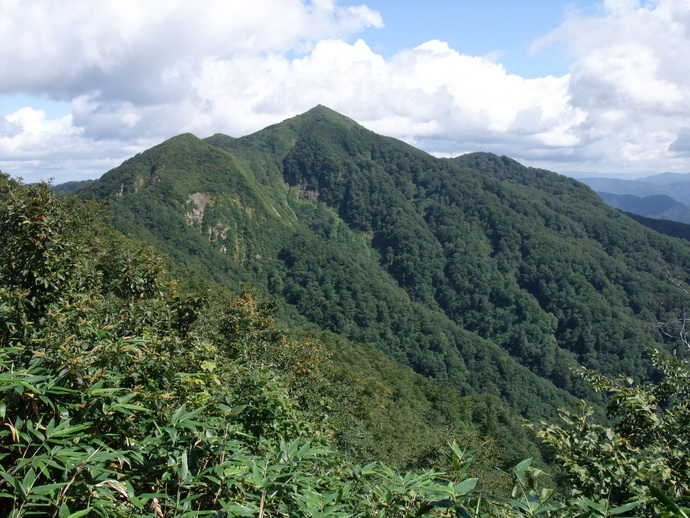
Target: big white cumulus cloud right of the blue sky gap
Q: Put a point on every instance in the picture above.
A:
(631, 80)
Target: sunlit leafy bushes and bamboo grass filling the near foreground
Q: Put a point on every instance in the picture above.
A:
(117, 399)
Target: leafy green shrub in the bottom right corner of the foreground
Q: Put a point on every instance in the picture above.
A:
(643, 454)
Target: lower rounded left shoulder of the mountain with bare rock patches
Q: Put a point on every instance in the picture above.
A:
(197, 204)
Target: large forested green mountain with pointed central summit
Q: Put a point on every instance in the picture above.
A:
(484, 274)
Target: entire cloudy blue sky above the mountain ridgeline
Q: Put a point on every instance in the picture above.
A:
(589, 86)
